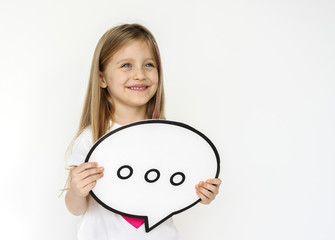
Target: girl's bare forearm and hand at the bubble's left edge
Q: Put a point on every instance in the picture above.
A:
(82, 180)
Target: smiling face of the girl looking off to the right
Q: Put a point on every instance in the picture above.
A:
(131, 76)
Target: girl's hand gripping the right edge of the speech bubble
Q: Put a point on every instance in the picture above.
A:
(208, 190)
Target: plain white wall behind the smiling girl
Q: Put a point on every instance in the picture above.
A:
(256, 76)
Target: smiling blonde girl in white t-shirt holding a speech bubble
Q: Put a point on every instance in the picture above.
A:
(125, 86)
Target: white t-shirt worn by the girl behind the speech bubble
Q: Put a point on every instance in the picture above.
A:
(98, 223)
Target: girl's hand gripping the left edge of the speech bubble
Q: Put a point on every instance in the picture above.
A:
(84, 178)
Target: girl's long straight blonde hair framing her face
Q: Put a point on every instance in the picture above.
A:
(98, 107)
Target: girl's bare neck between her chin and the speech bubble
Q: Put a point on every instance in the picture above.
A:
(129, 115)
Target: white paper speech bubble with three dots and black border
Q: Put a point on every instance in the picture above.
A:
(151, 169)
